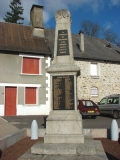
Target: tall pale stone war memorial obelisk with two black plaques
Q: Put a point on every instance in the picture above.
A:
(64, 123)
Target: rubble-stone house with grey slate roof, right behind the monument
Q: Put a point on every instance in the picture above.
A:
(99, 63)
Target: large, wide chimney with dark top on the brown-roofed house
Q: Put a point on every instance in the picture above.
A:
(36, 20)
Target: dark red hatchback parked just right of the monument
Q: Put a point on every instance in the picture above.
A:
(88, 108)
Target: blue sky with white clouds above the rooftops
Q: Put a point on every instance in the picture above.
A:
(104, 12)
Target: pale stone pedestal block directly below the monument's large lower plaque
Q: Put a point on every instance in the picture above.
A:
(64, 127)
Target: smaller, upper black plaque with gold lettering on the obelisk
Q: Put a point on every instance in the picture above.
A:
(62, 45)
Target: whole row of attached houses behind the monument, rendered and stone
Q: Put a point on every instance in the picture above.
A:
(33, 46)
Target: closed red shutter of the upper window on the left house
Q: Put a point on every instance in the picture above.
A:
(31, 65)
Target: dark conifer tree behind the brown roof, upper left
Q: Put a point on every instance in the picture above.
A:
(16, 11)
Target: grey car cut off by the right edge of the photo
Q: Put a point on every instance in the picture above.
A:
(110, 105)
